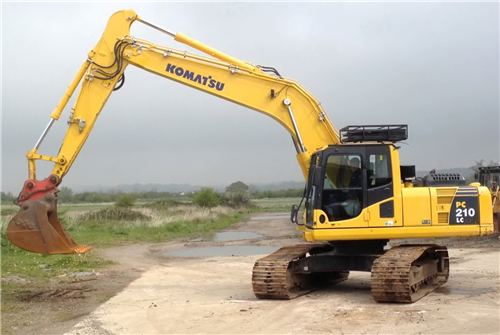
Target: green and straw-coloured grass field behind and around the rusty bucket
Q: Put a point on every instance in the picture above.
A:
(102, 225)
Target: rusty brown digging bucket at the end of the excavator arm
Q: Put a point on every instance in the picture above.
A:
(36, 228)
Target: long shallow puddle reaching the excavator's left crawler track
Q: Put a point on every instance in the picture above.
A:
(237, 250)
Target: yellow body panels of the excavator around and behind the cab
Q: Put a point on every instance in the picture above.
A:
(419, 212)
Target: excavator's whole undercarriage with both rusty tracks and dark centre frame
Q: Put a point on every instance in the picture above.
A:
(403, 274)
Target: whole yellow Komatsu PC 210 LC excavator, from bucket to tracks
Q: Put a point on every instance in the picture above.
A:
(357, 196)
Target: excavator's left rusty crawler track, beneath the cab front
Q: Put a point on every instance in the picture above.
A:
(272, 277)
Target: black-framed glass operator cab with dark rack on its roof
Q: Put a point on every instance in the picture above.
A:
(346, 178)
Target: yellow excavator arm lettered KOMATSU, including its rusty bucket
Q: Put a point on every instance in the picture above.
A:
(36, 227)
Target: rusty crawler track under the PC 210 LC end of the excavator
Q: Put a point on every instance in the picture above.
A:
(407, 273)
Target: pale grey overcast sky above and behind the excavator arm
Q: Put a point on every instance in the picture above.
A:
(433, 66)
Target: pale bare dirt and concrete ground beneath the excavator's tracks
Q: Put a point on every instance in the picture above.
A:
(150, 292)
